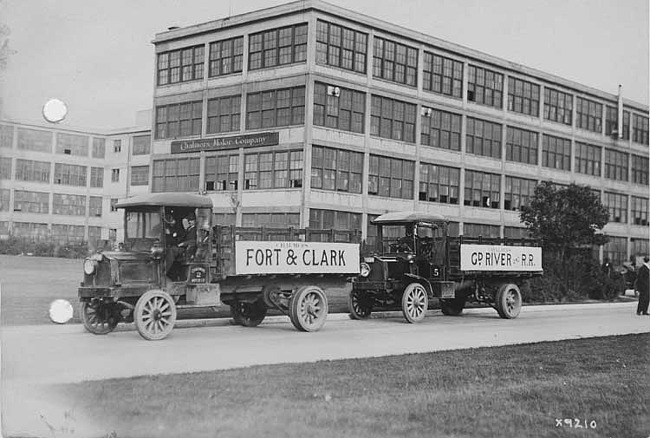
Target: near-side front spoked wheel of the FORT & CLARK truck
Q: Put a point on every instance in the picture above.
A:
(155, 315)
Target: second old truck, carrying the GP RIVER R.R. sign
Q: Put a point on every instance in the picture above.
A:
(416, 260)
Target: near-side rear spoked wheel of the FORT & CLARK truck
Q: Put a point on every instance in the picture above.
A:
(308, 309)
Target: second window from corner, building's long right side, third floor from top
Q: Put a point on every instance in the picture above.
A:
(391, 177)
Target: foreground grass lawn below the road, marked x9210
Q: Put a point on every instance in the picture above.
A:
(595, 387)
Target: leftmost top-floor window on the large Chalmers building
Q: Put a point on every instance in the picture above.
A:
(180, 65)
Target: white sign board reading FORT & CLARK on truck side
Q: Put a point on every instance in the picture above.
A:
(252, 257)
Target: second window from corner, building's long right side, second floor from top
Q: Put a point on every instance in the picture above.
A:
(392, 119)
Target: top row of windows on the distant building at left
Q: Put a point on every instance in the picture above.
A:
(38, 140)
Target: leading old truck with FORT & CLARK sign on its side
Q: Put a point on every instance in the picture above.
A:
(250, 269)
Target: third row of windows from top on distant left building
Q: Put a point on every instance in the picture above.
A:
(26, 201)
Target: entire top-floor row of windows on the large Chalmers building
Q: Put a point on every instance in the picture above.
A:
(345, 48)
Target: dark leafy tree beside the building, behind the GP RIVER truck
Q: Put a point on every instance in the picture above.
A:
(565, 217)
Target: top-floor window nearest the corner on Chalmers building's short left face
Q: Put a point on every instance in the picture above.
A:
(286, 45)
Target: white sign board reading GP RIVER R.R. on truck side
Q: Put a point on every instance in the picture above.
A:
(500, 258)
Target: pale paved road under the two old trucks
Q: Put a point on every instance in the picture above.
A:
(36, 355)
